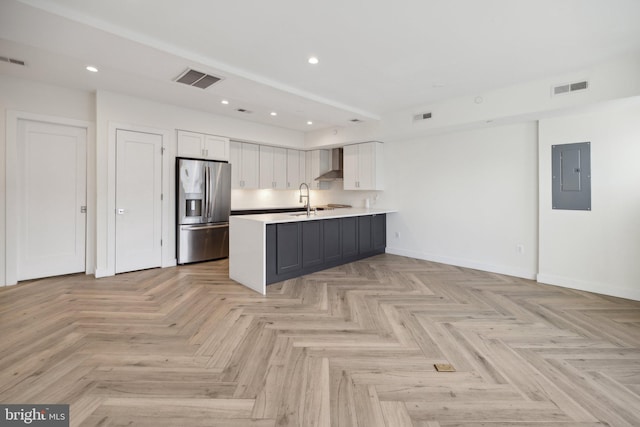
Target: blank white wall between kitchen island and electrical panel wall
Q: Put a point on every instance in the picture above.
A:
(466, 198)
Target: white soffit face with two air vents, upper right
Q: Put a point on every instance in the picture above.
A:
(615, 79)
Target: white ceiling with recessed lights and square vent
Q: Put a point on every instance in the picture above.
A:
(376, 56)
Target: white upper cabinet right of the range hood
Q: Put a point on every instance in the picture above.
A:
(363, 166)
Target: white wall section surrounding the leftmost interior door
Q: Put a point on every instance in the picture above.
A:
(32, 99)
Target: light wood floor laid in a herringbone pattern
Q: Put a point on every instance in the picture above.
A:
(351, 346)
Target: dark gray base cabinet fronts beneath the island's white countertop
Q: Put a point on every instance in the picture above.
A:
(297, 248)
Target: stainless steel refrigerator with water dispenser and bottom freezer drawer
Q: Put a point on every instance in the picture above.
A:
(204, 204)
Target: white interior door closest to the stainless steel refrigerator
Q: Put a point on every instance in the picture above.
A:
(138, 201)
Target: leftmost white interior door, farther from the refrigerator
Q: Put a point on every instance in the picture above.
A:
(52, 199)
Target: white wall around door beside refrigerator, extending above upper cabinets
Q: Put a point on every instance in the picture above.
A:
(118, 110)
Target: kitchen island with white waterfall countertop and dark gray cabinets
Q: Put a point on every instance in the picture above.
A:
(269, 248)
